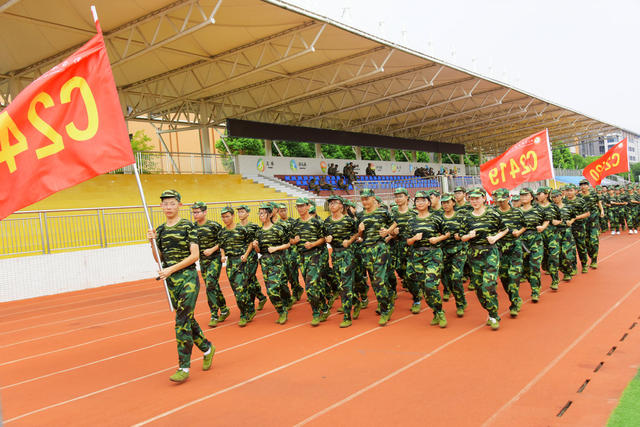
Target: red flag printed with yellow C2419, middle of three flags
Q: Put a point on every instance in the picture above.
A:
(528, 160)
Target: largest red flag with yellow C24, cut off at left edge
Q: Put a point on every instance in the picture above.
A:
(64, 128)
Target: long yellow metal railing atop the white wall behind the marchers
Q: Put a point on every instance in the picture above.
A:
(64, 230)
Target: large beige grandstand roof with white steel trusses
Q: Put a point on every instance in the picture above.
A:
(203, 61)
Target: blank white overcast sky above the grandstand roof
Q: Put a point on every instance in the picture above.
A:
(583, 55)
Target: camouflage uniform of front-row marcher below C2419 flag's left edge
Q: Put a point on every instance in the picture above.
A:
(484, 258)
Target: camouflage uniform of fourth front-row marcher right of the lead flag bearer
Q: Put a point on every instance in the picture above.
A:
(311, 263)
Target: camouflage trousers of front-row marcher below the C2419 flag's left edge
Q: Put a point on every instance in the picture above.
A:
(484, 261)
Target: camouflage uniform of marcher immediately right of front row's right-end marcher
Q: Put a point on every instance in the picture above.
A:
(510, 246)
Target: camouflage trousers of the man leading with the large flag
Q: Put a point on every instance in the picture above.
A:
(183, 289)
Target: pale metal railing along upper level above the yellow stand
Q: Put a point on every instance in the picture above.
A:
(154, 162)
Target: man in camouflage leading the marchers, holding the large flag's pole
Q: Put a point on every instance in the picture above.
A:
(178, 250)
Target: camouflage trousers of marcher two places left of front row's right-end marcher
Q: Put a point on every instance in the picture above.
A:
(424, 267)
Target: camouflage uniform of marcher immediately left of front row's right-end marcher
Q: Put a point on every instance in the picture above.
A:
(454, 257)
